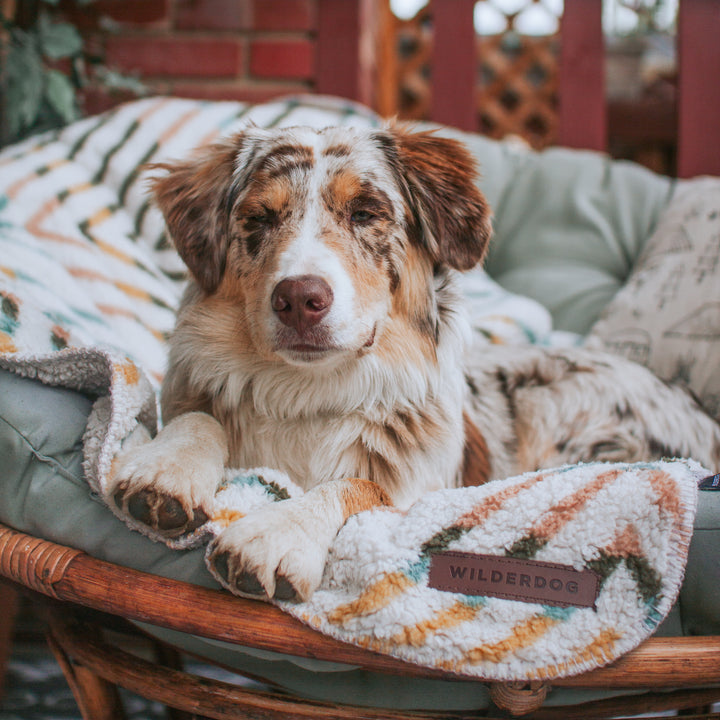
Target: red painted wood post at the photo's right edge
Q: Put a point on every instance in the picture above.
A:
(698, 88)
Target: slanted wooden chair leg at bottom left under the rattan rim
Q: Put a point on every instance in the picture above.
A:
(97, 698)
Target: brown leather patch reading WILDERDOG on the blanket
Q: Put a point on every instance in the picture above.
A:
(529, 581)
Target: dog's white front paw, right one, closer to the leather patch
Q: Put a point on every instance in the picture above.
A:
(277, 552)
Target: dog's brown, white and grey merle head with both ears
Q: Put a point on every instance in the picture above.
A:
(322, 243)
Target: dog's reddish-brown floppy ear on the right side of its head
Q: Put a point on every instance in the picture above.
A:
(452, 214)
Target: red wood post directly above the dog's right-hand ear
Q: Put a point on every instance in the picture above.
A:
(454, 64)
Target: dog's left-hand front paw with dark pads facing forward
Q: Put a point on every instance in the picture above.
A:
(169, 483)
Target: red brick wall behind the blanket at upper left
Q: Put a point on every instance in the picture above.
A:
(248, 50)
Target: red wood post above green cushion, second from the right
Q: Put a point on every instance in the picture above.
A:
(582, 121)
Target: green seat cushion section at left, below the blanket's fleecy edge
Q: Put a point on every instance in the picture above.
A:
(43, 491)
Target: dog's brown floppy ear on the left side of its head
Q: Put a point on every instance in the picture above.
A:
(194, 196)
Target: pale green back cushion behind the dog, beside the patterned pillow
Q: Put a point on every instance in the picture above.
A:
(569, 224)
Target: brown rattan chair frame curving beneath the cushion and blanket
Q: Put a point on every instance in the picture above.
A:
(73, 586)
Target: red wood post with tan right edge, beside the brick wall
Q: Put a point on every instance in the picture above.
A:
(344, 54)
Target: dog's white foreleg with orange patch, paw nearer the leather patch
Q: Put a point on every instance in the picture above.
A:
(280, 550)
